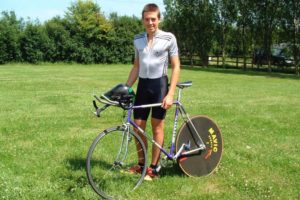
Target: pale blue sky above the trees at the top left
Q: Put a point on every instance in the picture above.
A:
(46, 9)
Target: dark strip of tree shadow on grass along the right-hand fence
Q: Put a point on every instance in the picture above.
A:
(249, 72)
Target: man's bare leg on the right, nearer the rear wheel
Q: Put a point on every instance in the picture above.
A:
(158, 136)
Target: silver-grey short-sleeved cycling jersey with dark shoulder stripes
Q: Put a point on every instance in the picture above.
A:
(153, 62)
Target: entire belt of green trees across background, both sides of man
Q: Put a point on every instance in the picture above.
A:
(202, 27)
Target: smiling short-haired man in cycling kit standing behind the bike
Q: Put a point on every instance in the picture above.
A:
(153, 49)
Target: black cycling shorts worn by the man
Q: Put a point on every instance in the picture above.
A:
(150, 91)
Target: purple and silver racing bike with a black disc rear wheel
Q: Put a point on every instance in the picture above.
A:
(197, 147)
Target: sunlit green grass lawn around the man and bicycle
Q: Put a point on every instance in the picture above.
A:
(46, 128)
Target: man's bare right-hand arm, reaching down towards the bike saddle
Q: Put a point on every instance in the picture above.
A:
(168, 100)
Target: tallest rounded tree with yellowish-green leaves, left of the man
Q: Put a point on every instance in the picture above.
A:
(89, 30)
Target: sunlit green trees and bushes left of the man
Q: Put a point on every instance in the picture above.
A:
(84, 35)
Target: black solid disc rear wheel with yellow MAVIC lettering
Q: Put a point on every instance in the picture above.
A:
(201, 162)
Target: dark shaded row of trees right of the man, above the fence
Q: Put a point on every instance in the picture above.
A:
(239, 27)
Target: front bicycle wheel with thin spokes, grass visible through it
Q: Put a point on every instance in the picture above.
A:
(109, 158)
